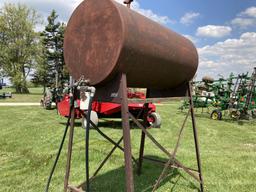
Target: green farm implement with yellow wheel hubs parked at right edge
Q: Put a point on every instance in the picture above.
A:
(235, 95)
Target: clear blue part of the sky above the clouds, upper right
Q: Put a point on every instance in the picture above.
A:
(217, 12)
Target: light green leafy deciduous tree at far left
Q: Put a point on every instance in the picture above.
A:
(18, 43)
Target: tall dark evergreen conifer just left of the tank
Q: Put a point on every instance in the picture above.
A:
(51, 70)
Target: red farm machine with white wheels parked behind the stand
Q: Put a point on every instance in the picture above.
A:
(113, 110)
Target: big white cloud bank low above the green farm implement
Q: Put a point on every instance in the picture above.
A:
(231, 55)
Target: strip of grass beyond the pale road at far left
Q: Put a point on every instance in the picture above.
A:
(34, 96)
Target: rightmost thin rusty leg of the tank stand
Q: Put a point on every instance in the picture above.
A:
(195, 138)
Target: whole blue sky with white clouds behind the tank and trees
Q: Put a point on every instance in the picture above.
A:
(224, 31)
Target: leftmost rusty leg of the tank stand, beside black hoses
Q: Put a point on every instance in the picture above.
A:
(70, 144)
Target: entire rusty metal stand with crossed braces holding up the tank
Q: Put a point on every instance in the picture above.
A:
(173, 162)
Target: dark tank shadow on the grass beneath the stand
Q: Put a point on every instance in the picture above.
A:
(114, 180)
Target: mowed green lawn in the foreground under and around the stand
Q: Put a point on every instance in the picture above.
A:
(30, 137)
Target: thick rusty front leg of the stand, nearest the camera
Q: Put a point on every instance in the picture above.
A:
(126, 134)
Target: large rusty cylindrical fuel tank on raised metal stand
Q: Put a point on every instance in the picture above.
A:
(104, 38)
